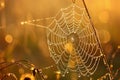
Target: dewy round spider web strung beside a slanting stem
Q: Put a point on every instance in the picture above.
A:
(72, 42)
